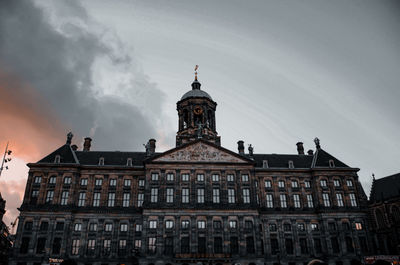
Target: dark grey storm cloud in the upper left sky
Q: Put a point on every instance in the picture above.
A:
(56, 64)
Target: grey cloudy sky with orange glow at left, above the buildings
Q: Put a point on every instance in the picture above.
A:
(280, 71)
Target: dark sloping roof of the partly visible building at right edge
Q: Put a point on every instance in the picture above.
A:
(385, 188)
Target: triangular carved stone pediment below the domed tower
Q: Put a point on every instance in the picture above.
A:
(201, 152)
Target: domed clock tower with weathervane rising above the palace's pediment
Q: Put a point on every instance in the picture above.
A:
(196, 111)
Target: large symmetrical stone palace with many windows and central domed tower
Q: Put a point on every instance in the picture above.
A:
(197, 203)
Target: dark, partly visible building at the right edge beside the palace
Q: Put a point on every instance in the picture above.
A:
(384, 209)
